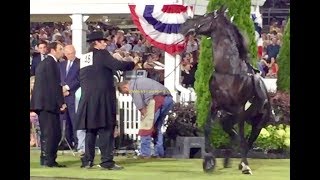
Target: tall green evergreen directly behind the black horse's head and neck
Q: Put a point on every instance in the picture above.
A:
(240, 9)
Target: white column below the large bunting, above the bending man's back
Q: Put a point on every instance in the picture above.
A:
(169, 74)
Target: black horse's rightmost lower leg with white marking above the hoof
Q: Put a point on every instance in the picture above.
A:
(244, 165)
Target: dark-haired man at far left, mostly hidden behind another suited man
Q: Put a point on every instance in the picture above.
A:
(38, 57)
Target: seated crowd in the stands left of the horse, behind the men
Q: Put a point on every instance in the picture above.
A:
(125, 45)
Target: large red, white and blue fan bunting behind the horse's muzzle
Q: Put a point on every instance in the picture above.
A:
(160, 24)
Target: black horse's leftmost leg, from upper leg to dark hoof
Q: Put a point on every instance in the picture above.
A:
(209, 161)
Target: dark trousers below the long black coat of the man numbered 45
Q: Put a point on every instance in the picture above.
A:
(106, 145)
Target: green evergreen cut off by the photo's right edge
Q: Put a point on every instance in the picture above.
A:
(283, 82)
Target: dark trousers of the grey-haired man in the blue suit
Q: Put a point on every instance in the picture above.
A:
(70, 131)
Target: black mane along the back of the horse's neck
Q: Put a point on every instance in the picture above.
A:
(239, 40)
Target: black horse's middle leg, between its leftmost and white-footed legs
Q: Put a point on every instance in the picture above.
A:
(227, 125)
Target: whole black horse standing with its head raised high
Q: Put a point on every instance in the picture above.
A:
(232, 85)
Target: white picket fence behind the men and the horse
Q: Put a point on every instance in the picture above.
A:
(132, 116)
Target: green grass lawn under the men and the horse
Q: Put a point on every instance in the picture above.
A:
(162, 169)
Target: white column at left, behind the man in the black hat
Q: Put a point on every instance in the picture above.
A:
(79, 32)
